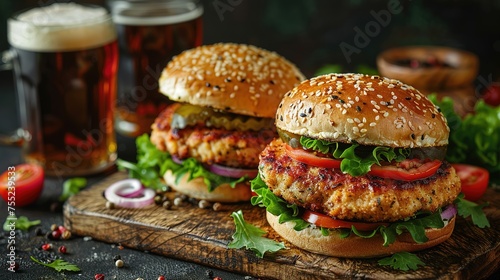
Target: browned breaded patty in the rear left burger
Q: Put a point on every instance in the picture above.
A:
(210, 145)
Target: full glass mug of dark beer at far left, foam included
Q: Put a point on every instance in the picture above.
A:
(65, 60)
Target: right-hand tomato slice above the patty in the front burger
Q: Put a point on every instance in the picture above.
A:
(407, 170)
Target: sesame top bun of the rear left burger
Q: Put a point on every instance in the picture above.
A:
(240, 79)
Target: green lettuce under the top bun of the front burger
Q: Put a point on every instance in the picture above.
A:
(352, 163)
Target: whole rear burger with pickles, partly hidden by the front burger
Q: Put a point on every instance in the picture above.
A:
(224, 99)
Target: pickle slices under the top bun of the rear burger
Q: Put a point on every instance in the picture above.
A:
(190, 115)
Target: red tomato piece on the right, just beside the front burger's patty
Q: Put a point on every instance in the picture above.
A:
(474, 180)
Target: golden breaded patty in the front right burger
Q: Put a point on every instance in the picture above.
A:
(365, 198)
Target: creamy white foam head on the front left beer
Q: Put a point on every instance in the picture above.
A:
(61, 27)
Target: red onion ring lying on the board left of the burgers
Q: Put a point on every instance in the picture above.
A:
(129, 193)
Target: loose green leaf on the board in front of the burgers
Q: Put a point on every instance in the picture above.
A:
(250, 237)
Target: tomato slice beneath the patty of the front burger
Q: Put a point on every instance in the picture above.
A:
(326, 221)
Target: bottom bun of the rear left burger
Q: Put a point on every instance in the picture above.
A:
(197, 188)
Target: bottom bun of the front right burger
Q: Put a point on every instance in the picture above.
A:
(311, 239)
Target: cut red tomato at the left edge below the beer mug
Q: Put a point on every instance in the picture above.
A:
(22, 184)
